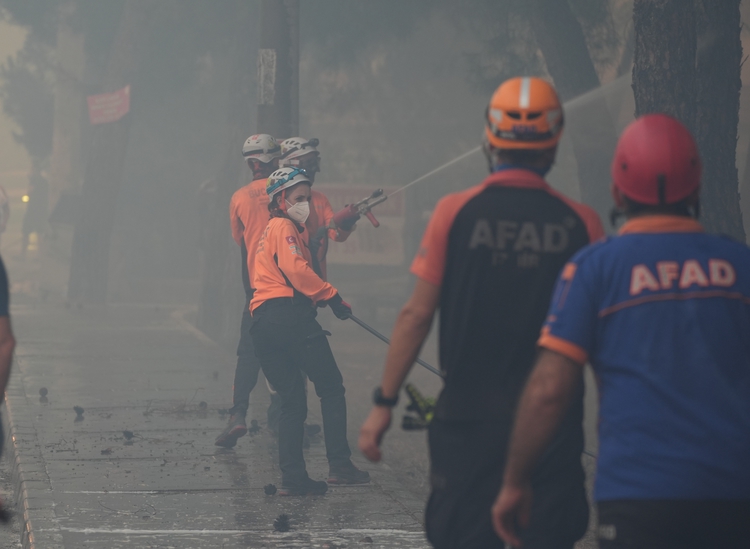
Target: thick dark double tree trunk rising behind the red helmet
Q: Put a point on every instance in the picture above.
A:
(699, 87)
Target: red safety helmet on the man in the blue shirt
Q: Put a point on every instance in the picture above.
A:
(656, 161)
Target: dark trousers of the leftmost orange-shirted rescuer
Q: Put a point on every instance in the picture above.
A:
(246, 373)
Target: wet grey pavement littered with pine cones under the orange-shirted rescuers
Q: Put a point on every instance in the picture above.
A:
(84, 481)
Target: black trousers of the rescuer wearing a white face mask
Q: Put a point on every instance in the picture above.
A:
(289, 342)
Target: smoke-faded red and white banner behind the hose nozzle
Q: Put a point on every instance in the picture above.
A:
(368, 245)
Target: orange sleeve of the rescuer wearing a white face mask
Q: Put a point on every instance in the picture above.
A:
(288, 250)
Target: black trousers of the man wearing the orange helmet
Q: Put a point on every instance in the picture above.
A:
(467, 459)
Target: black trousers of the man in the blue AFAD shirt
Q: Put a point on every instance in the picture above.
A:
(674, 524)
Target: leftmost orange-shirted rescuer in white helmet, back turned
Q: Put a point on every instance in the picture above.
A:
(248, 216)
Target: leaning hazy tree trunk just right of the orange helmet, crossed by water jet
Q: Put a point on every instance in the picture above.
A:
(563, 44)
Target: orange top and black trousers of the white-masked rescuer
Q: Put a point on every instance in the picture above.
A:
(289, 342)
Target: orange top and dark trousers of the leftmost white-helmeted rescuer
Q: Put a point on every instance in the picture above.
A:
(248, 217)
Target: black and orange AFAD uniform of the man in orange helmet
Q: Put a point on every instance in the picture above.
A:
(495, 251)
